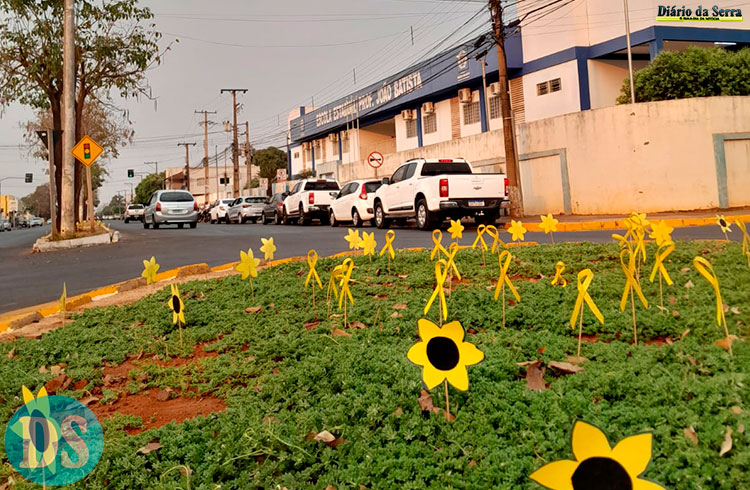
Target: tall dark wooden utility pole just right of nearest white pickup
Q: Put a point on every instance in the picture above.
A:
(511, 164)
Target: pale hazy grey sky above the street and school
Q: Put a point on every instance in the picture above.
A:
(286, 54)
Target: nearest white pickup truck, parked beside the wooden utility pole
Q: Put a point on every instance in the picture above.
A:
(432, 190)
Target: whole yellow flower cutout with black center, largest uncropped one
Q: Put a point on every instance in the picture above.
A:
(443, 354)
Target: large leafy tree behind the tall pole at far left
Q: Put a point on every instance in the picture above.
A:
(113, 51)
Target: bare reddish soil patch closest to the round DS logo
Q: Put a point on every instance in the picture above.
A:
(155, 413)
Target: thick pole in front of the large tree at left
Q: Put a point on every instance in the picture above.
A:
(67, 191)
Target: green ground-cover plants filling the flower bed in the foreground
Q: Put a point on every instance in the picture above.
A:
(282, 381)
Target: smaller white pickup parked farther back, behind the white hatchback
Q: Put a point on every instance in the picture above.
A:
(309, 200)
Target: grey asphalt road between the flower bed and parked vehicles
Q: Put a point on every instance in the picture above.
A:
(27, 279)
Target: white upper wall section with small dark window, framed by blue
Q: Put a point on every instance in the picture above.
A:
(565, 101)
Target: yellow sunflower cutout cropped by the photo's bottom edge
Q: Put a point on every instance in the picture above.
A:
(598, 465)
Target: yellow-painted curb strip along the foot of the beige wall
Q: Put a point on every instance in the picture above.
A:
(616, 222)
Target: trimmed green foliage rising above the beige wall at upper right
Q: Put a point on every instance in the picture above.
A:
(695, 72)
